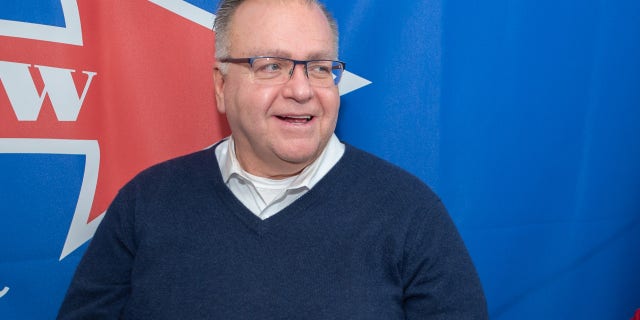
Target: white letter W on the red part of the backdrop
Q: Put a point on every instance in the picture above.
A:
(58, 84)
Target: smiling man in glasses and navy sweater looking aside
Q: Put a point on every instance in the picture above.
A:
(281, 220)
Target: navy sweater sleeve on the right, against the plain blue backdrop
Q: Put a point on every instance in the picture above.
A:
(440, 281)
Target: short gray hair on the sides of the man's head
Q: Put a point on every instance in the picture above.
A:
(223, 20)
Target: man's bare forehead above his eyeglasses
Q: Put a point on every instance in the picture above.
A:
(294, 29)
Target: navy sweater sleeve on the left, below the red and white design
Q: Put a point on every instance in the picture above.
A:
(101, 285)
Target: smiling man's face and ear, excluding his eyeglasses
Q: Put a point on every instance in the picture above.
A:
(268, 122)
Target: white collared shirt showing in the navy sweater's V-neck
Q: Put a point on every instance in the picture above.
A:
(266, 197)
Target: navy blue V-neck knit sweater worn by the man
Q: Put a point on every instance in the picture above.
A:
(369, 241)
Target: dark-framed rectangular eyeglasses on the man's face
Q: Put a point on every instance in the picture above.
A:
(276, 70)
